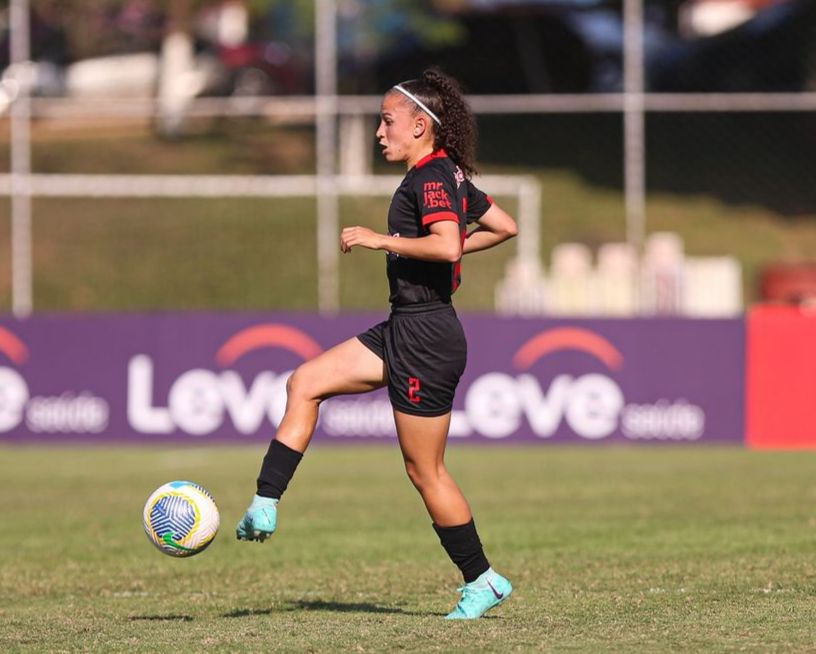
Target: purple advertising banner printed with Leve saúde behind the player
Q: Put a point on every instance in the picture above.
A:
(221, 377)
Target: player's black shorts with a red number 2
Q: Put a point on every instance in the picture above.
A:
(425, 352)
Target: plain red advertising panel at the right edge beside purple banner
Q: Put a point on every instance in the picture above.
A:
(781, 378)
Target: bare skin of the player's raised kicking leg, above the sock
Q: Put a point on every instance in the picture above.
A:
(349, 367)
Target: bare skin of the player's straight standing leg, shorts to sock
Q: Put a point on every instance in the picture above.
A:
(422, 441)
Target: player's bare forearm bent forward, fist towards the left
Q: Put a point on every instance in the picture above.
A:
(442, 244)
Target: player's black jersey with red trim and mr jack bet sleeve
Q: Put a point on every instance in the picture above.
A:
(434, 189)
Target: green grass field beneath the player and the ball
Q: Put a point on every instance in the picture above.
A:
(610, 549)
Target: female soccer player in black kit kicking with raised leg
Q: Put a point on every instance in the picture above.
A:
(420, 351)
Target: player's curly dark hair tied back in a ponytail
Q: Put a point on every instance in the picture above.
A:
(457, 134)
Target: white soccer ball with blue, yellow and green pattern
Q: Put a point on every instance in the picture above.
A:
(180, 518)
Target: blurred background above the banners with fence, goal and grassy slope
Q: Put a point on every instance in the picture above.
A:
(200, 154)
